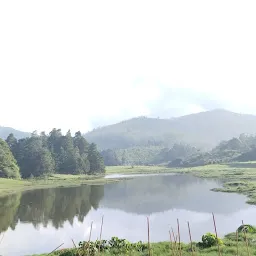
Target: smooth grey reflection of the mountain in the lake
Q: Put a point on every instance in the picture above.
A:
(147, 195)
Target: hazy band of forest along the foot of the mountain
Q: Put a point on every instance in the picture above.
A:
(240, 149)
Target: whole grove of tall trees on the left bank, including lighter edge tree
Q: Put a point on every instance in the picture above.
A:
(40, 155)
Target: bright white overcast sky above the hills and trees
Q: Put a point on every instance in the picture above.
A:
(84, 64)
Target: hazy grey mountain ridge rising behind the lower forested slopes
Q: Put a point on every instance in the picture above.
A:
(205, 129)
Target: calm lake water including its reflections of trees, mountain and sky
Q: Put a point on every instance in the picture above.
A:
(38, 221)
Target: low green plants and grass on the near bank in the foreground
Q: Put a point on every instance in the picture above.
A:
(238, 243)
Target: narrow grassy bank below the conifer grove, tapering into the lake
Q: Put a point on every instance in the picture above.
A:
(10, 186)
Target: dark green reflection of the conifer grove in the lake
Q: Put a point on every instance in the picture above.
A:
(56, 205)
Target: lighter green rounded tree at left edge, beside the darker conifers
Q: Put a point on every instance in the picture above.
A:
(8, 164)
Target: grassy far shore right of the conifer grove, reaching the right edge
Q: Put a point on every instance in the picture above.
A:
(237, 177)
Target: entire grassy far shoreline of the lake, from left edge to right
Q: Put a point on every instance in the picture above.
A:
(236, 180)
